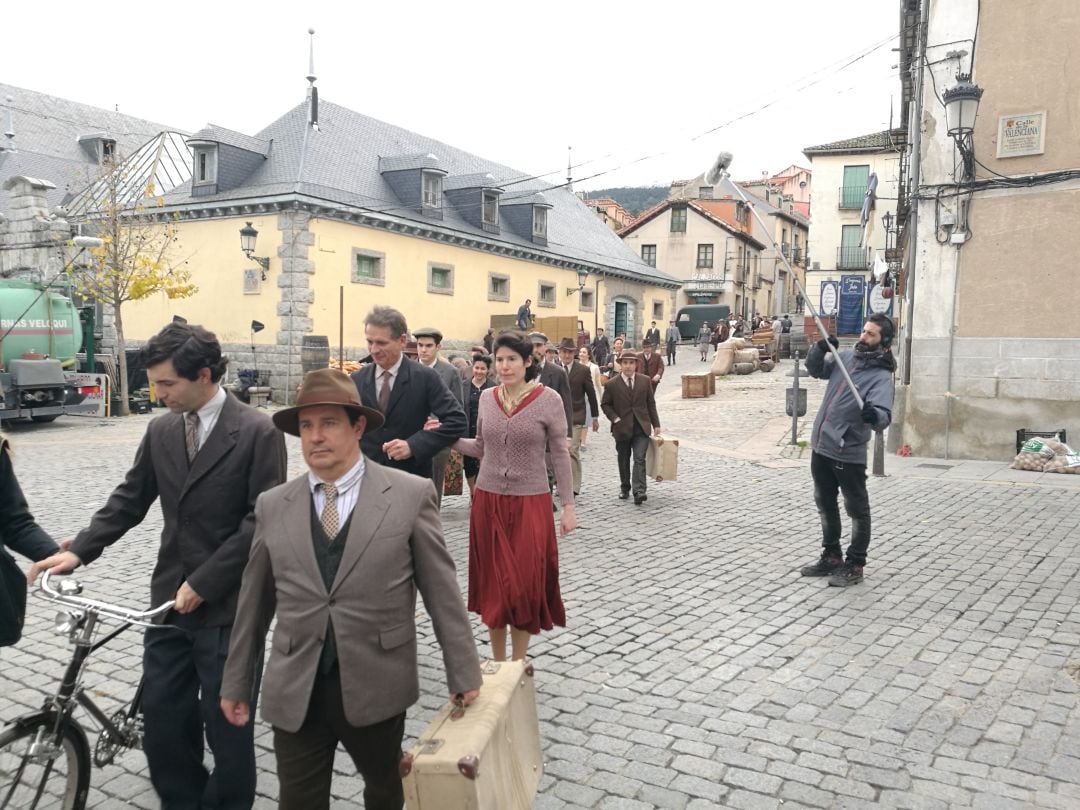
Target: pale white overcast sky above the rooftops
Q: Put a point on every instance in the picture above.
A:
(645, 92)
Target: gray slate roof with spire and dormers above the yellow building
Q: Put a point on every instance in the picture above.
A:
(341, 164)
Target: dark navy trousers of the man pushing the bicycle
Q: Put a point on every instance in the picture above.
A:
(181, 705)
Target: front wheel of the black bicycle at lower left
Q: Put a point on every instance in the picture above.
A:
(38, 771)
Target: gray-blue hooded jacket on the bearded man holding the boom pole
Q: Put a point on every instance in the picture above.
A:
(840, 433)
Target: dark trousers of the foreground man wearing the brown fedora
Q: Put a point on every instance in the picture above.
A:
(306, 757)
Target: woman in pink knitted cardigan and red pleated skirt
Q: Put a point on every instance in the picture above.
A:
(514, 553)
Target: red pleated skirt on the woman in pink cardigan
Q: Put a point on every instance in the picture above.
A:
(514, 562)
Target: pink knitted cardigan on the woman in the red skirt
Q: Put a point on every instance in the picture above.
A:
(512, 448)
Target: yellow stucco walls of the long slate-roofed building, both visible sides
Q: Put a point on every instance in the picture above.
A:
(218, 266)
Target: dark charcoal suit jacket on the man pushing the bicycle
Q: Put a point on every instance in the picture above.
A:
(208, 507)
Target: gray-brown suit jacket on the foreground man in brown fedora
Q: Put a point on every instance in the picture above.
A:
(394, 549)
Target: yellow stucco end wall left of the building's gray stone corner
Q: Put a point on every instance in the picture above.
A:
(211, 250)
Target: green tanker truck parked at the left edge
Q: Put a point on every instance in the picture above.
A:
(40, 335)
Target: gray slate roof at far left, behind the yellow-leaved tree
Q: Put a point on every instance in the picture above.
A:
(47, 140)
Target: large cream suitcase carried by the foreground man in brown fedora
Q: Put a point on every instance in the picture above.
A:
(483, 758)
